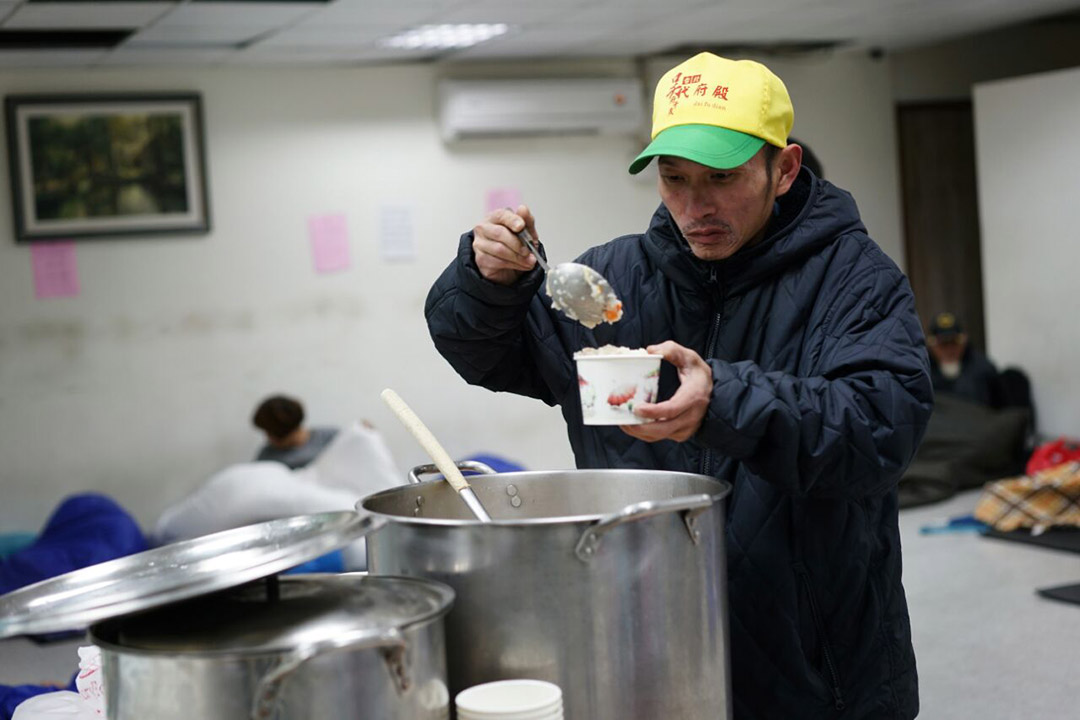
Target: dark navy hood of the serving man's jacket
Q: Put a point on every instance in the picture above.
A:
(813, 214)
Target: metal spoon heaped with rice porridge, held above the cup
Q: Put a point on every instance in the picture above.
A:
(578, 291)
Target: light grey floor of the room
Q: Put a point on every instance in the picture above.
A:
(989, 648)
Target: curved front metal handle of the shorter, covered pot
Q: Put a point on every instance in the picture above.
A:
(391, 642)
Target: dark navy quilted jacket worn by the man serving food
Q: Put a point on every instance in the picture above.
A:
(821, 393)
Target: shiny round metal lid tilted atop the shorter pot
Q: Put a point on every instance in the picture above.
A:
(177, 573)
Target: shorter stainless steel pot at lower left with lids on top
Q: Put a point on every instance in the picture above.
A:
(206, 630)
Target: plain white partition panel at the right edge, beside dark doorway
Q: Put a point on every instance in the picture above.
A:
(1028, 156)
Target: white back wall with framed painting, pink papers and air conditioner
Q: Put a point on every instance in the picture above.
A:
(143, 386)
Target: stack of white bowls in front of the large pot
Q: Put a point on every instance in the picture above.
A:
(511, 700)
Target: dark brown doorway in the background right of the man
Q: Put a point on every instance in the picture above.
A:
(941, 212)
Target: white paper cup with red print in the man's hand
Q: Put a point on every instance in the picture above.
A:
(611, 386)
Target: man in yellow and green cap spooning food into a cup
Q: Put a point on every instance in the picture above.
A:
(796, 371)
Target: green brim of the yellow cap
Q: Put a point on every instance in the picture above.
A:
(709, 145)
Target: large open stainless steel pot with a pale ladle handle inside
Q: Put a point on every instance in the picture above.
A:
(611, 583)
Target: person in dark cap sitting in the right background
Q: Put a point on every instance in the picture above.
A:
(958, 369)
